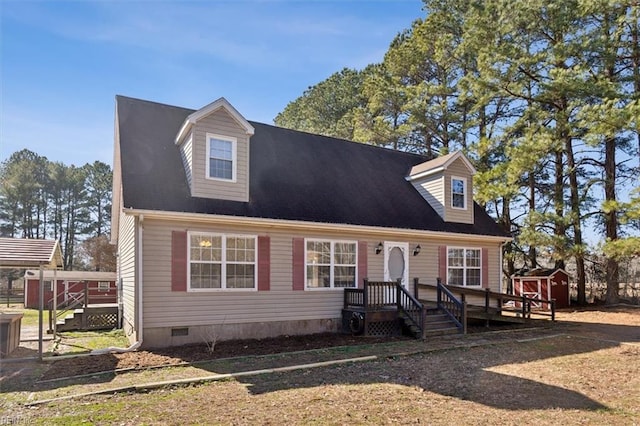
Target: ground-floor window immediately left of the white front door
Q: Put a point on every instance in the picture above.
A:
(330, 264)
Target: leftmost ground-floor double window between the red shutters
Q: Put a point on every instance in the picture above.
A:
(218, 262)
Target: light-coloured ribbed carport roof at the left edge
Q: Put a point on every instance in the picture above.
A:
(30, 253)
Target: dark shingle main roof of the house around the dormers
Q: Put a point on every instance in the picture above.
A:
(293, 176)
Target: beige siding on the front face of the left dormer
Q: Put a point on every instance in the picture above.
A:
(220, 123)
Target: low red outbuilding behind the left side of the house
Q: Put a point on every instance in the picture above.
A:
(98, 287)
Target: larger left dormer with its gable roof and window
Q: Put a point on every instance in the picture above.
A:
(214, 145)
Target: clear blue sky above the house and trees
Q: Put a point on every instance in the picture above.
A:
(63, 62)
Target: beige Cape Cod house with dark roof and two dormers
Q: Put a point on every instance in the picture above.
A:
(246, 230)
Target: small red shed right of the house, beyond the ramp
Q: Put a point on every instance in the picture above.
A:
(543, 284)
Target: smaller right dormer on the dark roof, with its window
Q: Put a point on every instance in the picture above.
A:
(447, 184)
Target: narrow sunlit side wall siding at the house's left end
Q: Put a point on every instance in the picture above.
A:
(126, 260)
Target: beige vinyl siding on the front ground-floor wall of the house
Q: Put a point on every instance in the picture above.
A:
(166, 308)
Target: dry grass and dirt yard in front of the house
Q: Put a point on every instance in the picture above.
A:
(583, 369)
